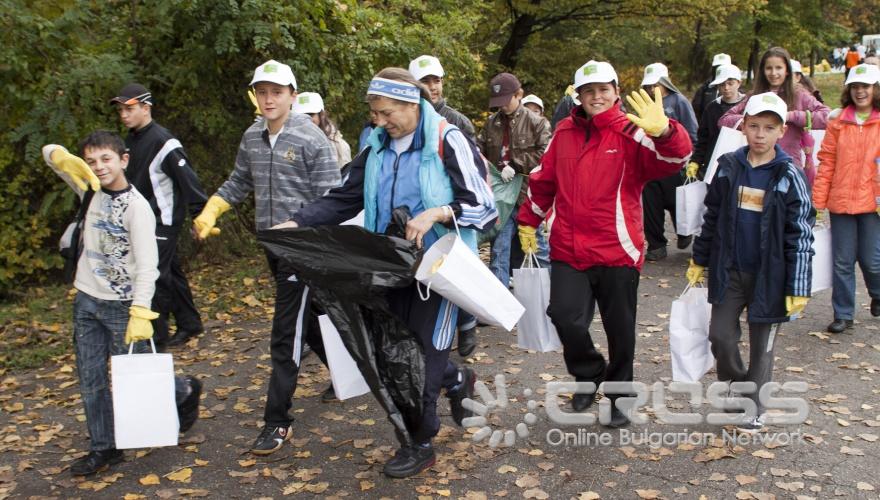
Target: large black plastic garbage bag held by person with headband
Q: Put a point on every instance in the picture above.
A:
(350, 270)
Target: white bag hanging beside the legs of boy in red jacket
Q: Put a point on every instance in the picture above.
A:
(534, 330)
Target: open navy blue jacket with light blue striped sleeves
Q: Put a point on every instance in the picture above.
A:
(786, 236)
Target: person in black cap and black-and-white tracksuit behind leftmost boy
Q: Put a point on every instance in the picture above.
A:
(160, 170)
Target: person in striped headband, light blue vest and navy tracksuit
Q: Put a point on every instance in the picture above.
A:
(414, 158)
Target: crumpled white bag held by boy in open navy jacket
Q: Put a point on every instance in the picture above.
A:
(689, 335)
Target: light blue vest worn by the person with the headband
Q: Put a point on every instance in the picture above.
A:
(434, 182)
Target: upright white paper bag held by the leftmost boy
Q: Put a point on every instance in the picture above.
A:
(144, 409)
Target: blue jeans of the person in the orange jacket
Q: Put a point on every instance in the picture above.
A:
(854, 238)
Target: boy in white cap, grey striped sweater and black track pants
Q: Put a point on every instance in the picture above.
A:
(287, 162)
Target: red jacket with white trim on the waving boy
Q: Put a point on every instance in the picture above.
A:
(592, 176)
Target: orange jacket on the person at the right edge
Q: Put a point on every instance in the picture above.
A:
(847, 182)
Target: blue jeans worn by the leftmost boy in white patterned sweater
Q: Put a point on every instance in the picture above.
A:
(98, 333)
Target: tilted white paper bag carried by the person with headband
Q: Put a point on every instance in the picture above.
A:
(465, 281)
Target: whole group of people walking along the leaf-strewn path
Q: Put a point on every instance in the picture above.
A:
(592, 206)
